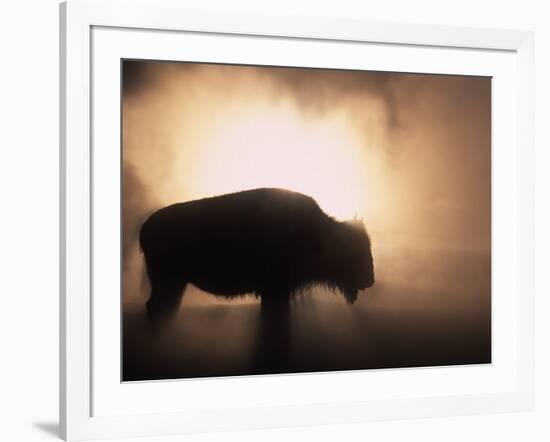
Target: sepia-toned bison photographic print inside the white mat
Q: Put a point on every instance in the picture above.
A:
(299, 220)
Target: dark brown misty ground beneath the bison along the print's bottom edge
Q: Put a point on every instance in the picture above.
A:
(409, 324)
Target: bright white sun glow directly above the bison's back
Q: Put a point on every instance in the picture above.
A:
(280, 147)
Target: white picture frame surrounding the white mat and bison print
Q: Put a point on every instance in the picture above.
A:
(78, 342)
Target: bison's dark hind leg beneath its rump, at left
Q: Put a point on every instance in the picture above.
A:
(165, 298)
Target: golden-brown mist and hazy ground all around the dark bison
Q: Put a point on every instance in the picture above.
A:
(419, 174)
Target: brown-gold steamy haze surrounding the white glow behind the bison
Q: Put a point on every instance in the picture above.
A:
(425, 146)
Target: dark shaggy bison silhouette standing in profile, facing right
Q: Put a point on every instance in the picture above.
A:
(270, 242)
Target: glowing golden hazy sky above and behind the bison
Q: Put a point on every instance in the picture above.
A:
(410, 153)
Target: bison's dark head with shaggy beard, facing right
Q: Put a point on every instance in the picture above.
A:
(352, 258)
